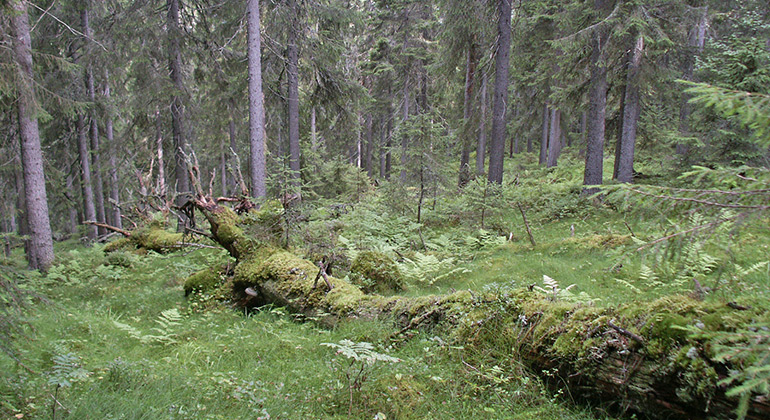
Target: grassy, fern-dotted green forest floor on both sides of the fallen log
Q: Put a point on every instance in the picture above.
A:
(112, 336)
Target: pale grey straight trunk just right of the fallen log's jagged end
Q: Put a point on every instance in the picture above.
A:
(257, 163)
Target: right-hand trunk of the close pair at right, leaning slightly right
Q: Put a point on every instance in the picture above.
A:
(631, 107)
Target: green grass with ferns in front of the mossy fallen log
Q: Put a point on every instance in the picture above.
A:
(222, 364)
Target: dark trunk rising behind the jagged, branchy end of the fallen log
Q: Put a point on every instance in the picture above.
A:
(181, 176)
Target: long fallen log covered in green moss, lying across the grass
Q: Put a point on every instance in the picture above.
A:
(638, 358)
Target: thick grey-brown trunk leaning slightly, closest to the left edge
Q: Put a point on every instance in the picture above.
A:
(41, 240)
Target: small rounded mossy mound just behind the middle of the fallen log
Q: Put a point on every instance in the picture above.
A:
(374, 271)
